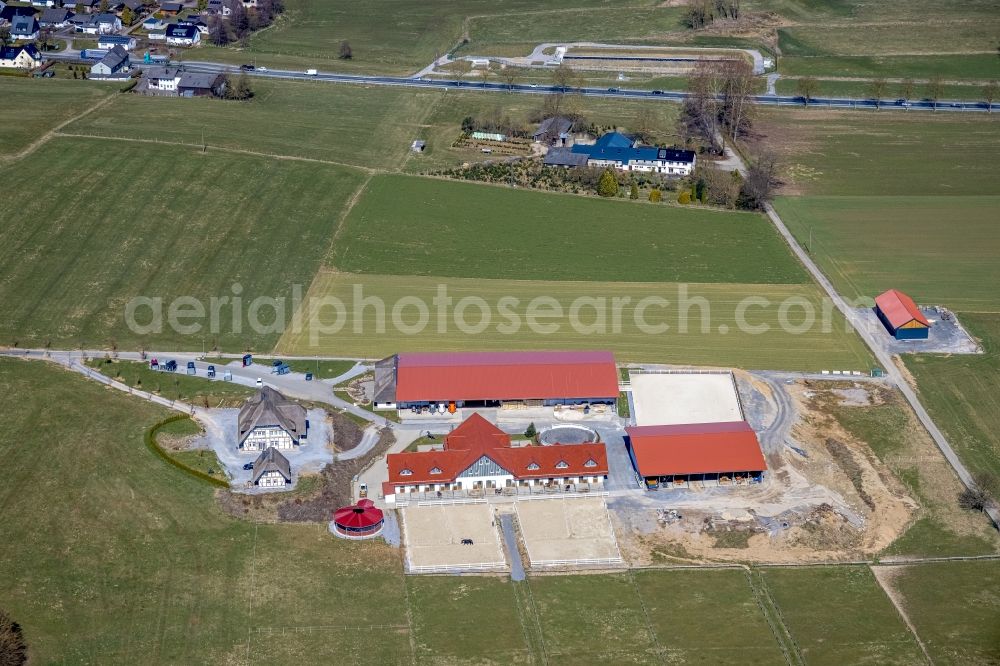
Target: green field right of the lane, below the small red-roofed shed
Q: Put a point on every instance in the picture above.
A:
(962, 394)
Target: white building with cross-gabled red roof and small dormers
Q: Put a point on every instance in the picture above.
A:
(477, 456)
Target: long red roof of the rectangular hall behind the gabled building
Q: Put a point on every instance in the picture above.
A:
(505, 376)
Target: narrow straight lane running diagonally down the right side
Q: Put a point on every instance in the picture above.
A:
(866, 334)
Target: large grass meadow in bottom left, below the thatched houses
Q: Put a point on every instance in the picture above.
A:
(112, 556)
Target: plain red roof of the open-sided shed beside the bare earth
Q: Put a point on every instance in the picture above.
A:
(696, 448)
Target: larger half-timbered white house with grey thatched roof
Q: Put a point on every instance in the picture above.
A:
(268, 419)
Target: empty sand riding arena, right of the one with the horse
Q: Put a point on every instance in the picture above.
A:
(567, 531)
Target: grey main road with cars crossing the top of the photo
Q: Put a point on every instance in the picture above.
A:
(531, 89)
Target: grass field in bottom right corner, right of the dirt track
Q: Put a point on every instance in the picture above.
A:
(954, 607)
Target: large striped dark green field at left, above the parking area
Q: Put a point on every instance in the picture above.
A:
(132, 220)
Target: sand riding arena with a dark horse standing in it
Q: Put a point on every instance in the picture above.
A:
(433, 537)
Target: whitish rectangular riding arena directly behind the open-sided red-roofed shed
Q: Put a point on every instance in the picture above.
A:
(676, 397)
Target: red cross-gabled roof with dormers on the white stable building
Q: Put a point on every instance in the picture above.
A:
(477, 437)
